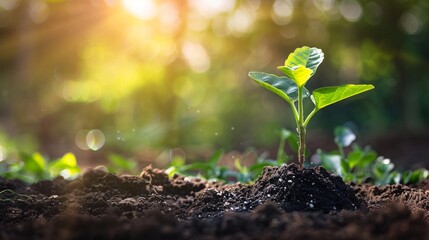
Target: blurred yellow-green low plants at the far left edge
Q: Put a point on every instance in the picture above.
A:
(34, 167)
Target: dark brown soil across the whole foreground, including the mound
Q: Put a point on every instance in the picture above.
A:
(284, 203)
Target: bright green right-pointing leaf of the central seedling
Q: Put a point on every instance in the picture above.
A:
(326, 96)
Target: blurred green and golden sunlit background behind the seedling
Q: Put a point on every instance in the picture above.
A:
(149, 79)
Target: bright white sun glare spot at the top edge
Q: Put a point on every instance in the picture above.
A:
(142, 9)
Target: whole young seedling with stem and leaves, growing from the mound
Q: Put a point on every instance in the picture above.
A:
(298, 68)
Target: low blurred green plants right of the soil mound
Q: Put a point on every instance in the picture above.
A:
(362, 165)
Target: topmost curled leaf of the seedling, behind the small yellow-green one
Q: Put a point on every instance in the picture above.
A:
(309, 57)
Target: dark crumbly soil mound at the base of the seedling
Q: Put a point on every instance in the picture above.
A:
(312, 189)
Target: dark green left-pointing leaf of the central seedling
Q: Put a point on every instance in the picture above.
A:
(282, 86)
